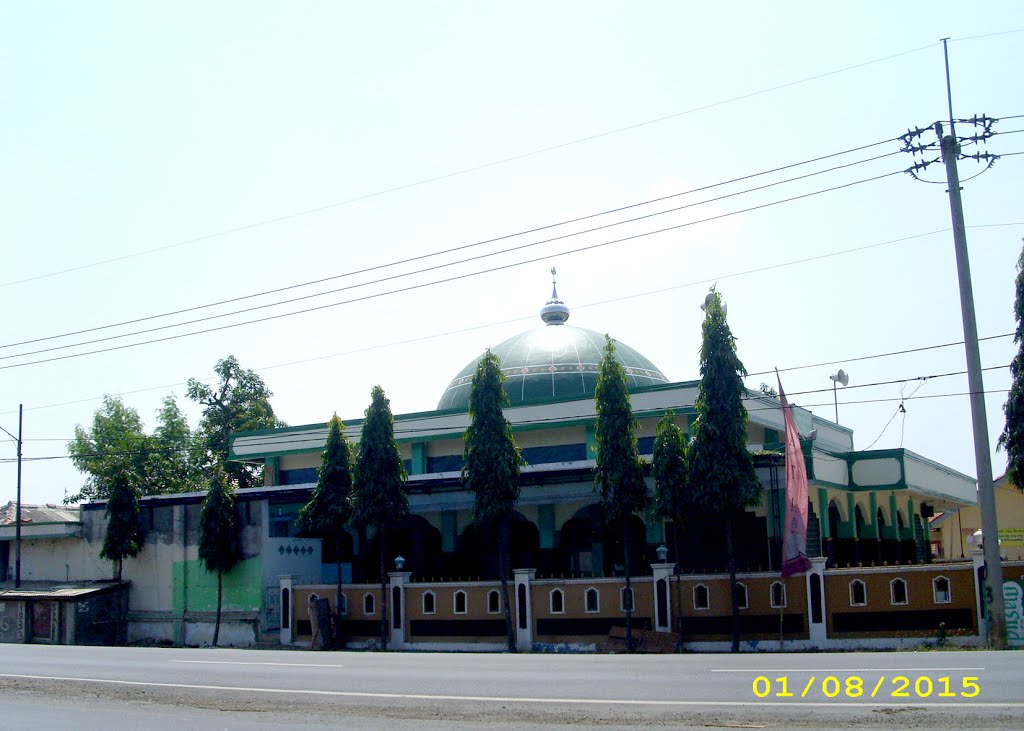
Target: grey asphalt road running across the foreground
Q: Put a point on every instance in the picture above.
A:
(101, 687)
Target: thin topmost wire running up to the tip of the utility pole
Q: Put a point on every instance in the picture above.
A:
(464, 171)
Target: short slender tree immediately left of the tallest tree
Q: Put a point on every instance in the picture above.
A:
(673, 500)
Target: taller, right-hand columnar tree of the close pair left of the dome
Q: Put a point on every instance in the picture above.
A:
(380, 501)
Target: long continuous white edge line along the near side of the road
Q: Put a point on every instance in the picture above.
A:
(516, 700)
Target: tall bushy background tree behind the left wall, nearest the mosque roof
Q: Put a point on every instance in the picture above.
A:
(239, 402)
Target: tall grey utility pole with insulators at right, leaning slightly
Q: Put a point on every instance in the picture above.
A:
(950, 146)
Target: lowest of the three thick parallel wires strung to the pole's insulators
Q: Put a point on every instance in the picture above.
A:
(454, 278)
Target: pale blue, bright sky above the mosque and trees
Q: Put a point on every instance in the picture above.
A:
(131, 127)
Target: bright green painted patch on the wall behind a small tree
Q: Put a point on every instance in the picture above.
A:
(243, 587)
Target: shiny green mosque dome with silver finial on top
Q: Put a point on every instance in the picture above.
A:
(553, 362)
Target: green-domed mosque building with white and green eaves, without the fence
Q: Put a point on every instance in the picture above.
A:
(869, 507)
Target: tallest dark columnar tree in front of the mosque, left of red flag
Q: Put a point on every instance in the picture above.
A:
(721, 471)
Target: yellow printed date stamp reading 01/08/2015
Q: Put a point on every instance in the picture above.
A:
(856, 686)
